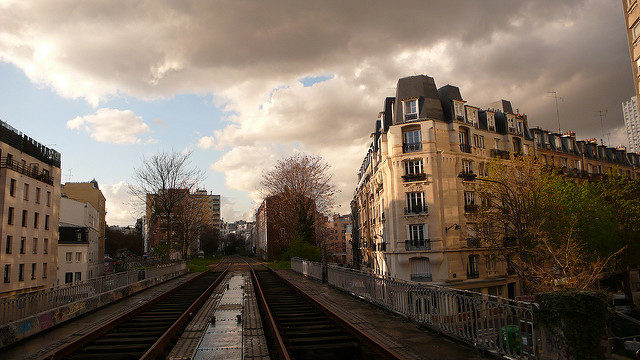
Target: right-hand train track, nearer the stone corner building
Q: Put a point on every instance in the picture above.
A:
(299, 327)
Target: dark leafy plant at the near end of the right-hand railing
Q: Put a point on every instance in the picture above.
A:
(579, 316)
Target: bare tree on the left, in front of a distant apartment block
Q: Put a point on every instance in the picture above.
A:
(163, 183)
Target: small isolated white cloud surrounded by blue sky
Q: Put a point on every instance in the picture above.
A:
(112, 126)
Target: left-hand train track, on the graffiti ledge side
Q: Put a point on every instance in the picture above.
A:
(146, 331)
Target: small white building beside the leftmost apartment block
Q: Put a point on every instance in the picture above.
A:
(78, 244)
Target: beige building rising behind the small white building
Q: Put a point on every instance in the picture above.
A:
(89, 192)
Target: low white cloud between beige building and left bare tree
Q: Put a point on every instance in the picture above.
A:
(121, 208)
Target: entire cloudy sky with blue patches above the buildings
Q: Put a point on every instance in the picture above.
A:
(241, 84)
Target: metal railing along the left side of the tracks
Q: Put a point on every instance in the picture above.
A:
(24, 305)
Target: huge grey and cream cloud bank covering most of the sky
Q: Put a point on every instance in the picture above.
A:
(252, 56)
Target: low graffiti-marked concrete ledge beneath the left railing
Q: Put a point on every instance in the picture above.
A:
(23, 328)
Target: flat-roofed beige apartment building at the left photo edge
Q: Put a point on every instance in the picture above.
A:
(29, 205)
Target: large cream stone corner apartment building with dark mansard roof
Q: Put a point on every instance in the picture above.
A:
(413, 215)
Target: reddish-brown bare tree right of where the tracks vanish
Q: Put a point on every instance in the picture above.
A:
(305, 189)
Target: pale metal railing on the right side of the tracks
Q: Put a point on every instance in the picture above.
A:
(498, 325)
